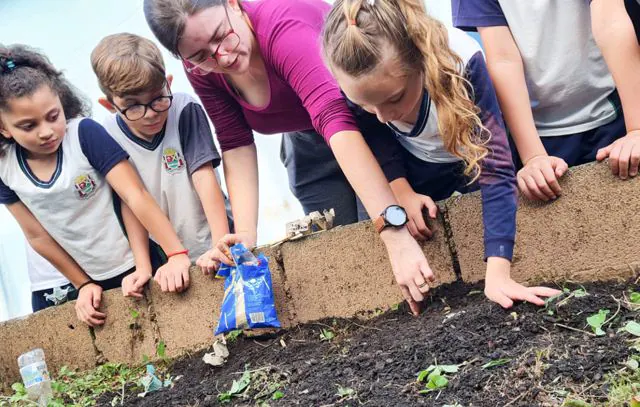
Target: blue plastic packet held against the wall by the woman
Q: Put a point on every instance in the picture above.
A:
(248, 293)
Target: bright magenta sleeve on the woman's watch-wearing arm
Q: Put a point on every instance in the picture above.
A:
(294, 49)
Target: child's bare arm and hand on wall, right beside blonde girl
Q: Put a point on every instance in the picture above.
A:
(539, 177)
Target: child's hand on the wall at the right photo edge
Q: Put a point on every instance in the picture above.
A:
(623, 154)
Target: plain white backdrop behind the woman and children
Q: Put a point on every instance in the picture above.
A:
(67, 31)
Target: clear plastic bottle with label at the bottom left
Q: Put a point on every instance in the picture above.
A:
(35, 376)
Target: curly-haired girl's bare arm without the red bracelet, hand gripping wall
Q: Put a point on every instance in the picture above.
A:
(90, 295)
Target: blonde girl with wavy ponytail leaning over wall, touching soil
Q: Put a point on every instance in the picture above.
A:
(430, 85)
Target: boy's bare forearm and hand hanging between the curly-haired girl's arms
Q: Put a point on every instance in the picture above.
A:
(133, 284)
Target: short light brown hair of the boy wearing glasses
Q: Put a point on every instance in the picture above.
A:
(126, 64)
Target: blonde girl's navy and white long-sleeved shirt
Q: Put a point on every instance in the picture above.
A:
(497, 178)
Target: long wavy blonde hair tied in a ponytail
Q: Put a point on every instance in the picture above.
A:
(353, 36)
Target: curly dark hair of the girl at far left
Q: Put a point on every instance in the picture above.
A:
(23, 70)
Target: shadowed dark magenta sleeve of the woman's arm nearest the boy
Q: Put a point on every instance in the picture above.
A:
(231, 127)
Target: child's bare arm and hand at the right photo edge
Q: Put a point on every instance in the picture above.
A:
(615, 35)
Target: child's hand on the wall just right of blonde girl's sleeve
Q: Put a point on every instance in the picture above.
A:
(538, 179)
